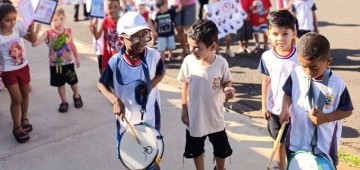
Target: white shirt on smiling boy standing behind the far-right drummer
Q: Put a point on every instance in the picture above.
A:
(278, 68)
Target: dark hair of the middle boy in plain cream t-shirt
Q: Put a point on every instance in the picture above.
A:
(205, 31)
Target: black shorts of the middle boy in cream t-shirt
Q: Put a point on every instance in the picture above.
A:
(194, 146)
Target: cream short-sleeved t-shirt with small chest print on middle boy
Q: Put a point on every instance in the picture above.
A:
(205, 106)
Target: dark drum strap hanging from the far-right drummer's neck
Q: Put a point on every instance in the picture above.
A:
(320, 104)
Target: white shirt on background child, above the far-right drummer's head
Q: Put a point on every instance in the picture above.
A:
(303, 10)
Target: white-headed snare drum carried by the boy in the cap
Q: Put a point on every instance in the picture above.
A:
(145, 155)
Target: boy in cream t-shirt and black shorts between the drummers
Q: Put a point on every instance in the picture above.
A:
(210, 76)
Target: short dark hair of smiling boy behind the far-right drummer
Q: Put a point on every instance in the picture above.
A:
(281, 19)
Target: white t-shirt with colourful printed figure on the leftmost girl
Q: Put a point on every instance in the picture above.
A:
(12, 49)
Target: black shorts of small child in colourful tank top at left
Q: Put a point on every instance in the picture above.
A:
(67, 74)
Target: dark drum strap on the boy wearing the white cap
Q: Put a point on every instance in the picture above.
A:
(142, 100)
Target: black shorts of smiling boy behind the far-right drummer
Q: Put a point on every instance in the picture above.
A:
(274, 127)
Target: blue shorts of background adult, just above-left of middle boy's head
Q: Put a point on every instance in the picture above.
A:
(186, 17)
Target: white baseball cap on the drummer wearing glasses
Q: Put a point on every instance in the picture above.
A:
(130, 23)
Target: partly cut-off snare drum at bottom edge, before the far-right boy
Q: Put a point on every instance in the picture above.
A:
(302, 160)
